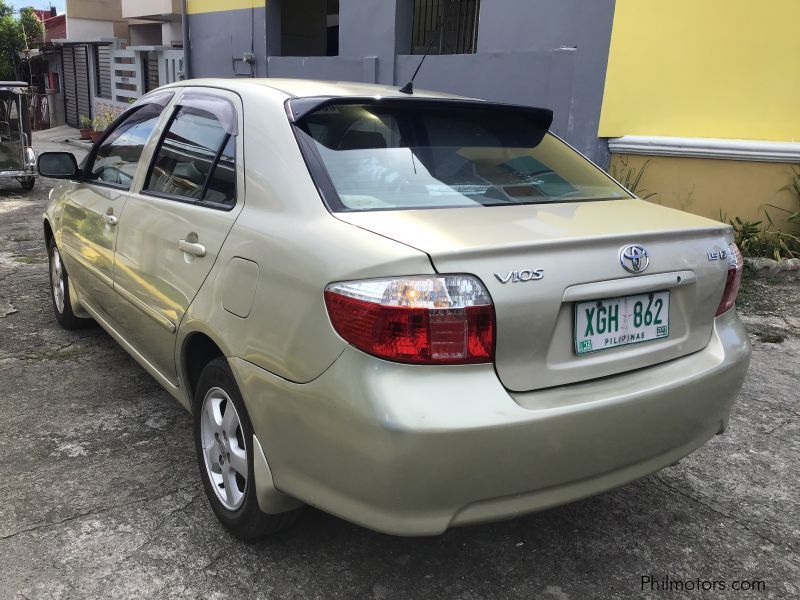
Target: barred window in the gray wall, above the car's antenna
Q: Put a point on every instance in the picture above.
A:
(445, 26)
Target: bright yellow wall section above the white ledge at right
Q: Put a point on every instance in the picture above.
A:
(704, 68)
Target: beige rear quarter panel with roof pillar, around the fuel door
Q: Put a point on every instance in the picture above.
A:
(298, 248)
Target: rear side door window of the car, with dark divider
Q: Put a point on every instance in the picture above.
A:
(195, 160)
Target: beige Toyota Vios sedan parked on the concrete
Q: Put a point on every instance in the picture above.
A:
(413, 311)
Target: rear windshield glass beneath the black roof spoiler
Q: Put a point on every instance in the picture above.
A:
(412, 155)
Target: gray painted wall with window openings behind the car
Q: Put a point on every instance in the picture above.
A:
(550, 53)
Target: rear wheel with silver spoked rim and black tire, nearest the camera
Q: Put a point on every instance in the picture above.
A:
(221, 435)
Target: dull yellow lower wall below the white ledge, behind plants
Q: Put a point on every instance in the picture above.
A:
(704, 186)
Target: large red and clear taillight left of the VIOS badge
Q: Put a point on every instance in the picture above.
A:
(446, 319)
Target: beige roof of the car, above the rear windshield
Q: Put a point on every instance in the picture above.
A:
(303, 88)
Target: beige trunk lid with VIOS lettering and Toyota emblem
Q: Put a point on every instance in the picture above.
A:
(576, 248)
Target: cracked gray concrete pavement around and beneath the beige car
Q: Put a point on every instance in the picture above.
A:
(101, 497)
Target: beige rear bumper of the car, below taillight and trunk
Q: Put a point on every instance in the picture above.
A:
(413, 450)
